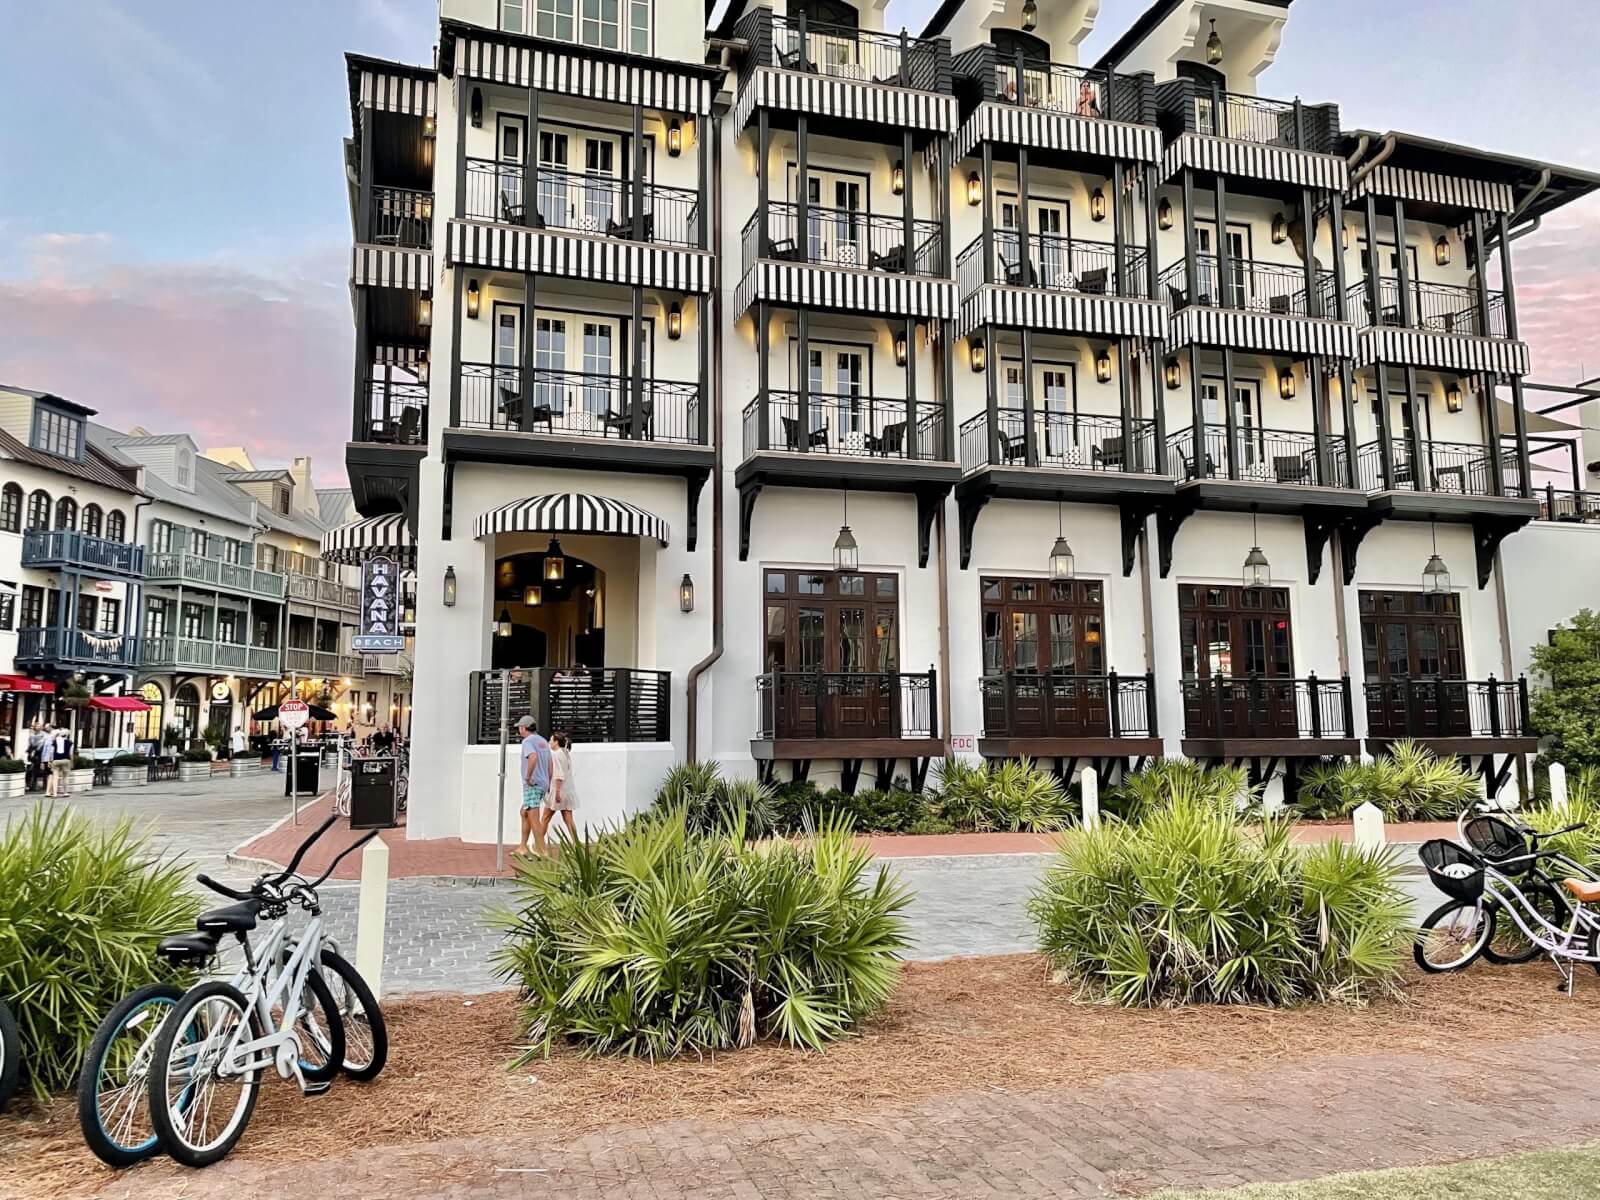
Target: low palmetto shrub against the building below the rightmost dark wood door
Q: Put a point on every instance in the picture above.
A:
(1410, 785)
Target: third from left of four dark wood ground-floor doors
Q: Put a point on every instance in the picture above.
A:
(1239, 662)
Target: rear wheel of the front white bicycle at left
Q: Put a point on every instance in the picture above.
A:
(198, 1113)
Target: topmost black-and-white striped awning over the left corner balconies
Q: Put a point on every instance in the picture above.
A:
(585, 74)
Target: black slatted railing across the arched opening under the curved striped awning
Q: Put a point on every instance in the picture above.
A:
(594, 705)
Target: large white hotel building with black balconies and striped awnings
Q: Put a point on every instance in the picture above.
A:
(1062, 346)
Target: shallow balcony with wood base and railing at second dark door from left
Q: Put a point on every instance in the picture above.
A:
(1031, 714)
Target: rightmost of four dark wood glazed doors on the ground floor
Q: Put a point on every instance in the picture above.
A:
(1412, 650)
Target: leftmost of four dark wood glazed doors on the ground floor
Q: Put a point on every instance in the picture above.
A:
(833, 654)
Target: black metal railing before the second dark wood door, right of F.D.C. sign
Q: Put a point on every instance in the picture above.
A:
(1050, 705)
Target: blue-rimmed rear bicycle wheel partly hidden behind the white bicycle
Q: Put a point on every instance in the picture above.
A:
(114, 1110)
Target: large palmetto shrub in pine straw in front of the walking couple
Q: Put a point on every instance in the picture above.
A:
(658, 940)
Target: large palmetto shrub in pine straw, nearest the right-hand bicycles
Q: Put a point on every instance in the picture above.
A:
(1191, 906)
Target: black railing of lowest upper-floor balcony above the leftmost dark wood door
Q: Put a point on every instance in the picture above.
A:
(854, 426)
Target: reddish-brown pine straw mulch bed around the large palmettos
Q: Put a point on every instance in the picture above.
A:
(954, 1026)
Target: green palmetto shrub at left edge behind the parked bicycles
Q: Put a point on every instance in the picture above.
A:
(82, 908)
